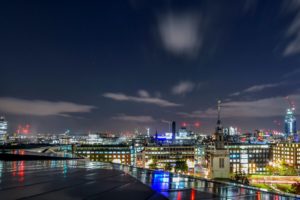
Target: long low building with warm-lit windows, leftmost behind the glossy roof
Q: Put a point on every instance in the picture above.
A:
(106, 153)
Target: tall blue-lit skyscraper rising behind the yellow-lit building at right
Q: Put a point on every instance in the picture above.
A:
(290, 123)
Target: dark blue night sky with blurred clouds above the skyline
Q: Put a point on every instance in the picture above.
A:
(120, 65)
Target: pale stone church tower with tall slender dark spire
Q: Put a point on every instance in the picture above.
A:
(218, 156)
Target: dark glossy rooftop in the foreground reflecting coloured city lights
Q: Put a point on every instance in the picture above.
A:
(79, 179)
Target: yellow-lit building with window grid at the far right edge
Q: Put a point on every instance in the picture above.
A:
(288, 152)
